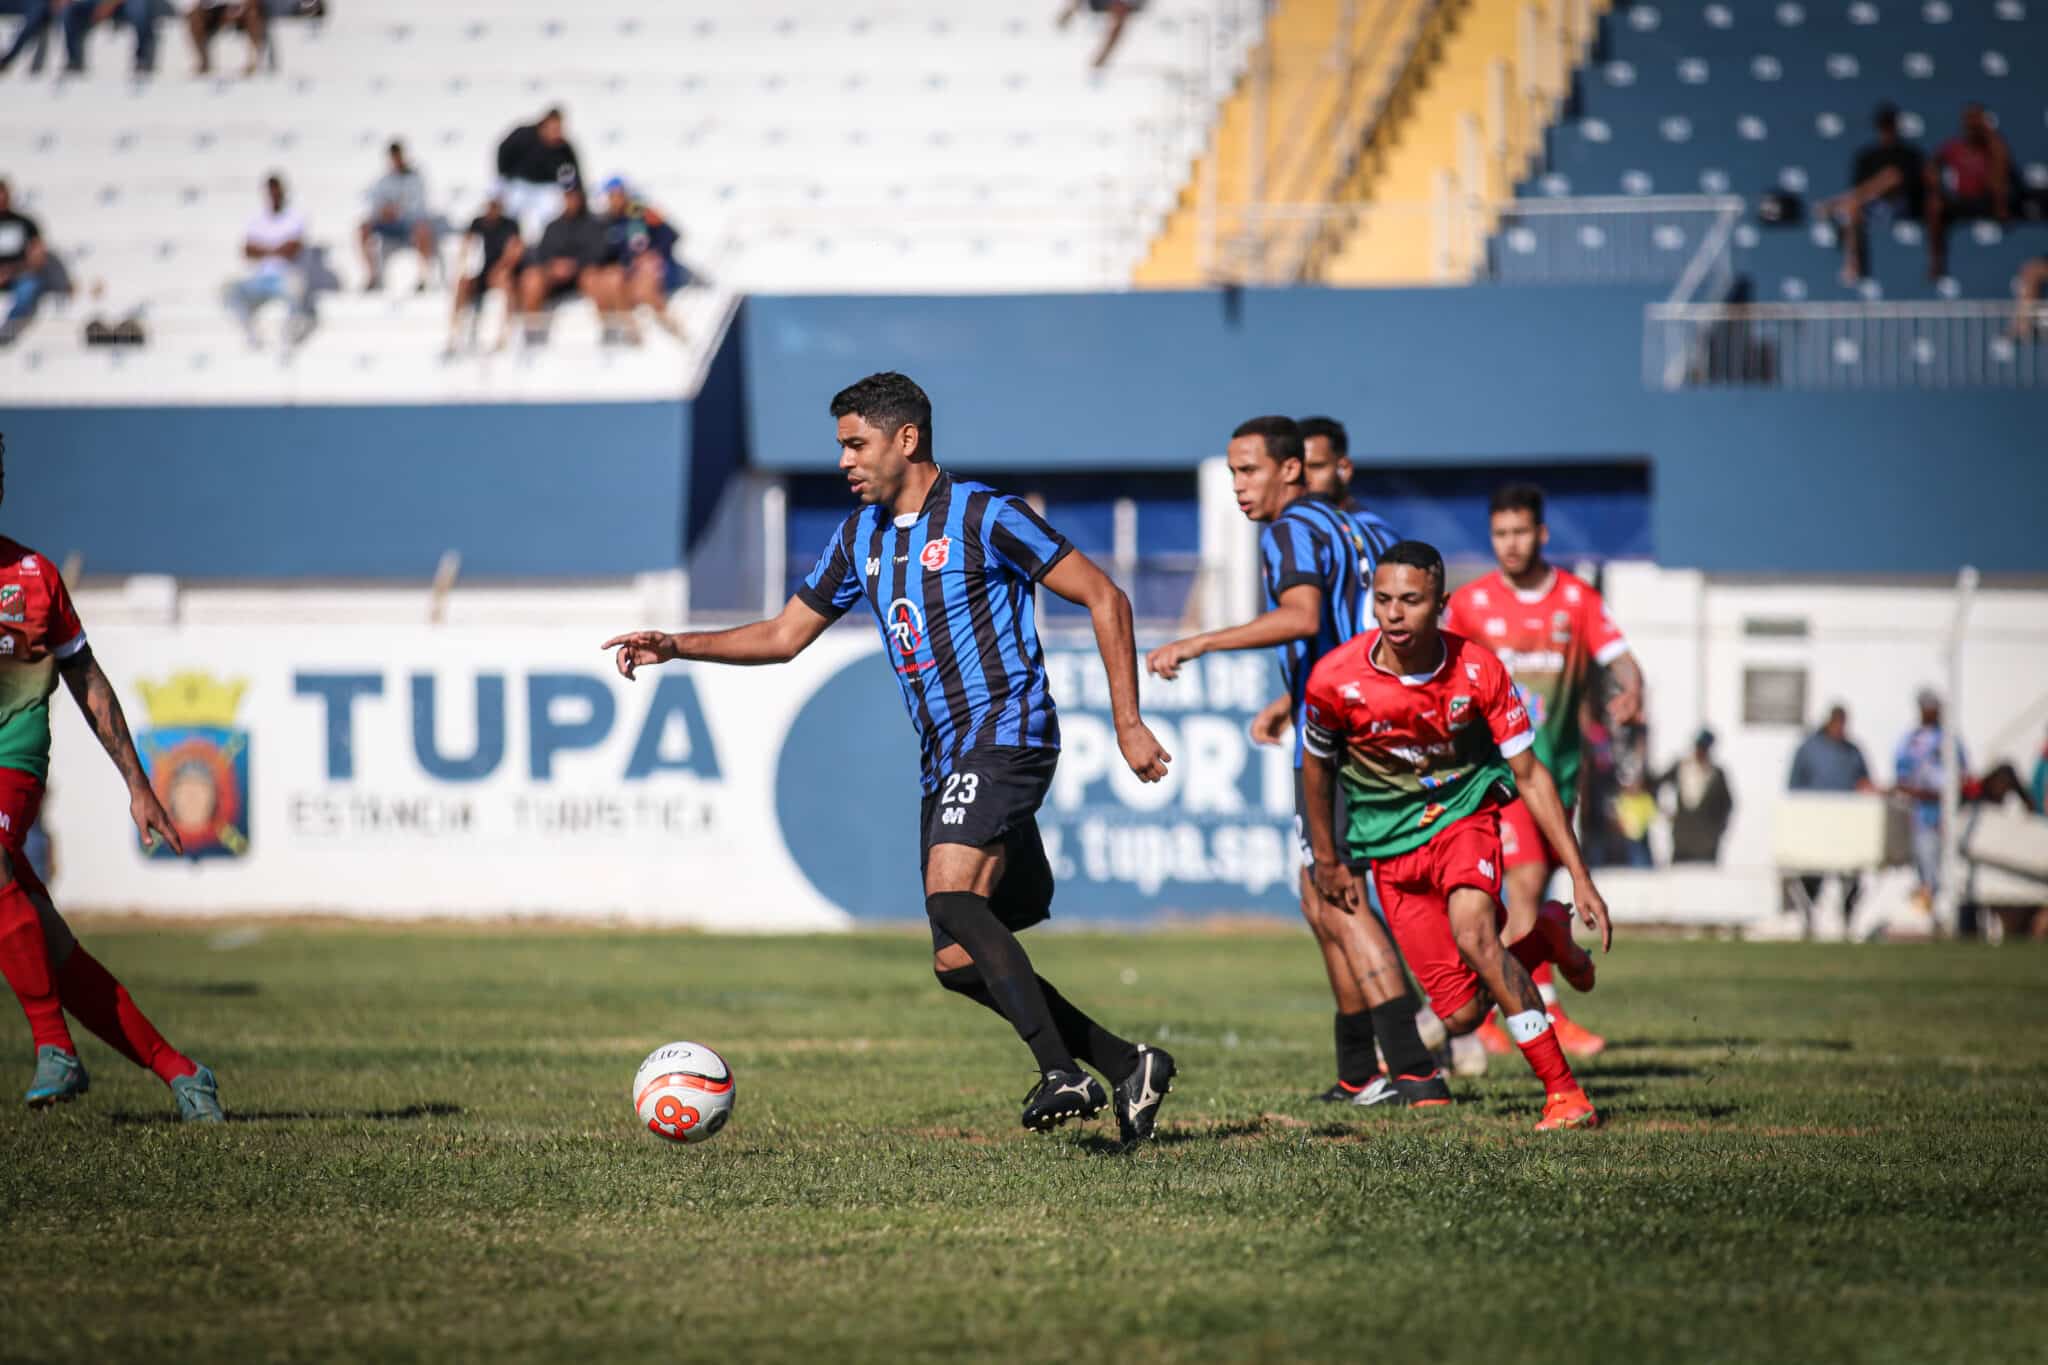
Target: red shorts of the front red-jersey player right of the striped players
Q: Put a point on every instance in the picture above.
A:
(1416, 893)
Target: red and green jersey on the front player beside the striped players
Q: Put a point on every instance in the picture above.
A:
(1418, 752)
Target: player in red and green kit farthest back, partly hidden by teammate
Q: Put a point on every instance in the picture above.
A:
(1551, 629)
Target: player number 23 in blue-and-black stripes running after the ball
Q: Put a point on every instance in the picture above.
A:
(949, 572)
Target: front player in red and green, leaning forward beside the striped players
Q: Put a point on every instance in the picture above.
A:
(1433, 742)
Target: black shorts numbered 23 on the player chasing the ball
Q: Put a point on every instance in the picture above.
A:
(992, 797)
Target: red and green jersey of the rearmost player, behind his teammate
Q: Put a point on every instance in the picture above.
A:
(1549, 640)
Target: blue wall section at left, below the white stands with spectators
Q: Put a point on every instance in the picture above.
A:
(353, 492)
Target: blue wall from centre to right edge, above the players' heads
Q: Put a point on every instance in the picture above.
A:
(1742, 480)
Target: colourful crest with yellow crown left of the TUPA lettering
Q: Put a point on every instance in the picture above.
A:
(200, 762)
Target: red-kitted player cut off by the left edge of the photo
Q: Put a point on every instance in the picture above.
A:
(42, 961)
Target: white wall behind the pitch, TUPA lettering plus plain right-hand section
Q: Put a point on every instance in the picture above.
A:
(351, 758)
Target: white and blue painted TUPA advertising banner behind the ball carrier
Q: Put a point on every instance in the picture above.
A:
(454, 770)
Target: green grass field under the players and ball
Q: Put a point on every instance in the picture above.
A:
(1816, 1153)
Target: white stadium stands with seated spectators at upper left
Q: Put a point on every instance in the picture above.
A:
(794, 142)
